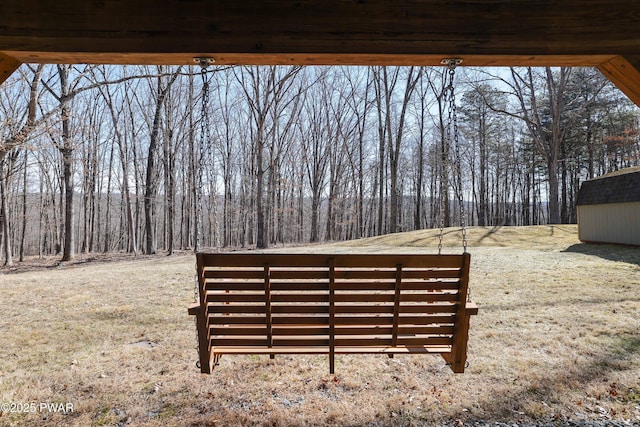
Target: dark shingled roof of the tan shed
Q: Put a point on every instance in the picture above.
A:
(622, 186)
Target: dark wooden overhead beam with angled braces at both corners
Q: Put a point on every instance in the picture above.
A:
(601, 33)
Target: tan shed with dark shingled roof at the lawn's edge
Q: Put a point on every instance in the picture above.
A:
(609, 208)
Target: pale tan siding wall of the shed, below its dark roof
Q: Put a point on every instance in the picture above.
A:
(610, 223)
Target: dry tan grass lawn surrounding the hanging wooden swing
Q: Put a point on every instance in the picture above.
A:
(557, 339)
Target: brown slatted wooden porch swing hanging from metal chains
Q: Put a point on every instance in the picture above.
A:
(259, 303)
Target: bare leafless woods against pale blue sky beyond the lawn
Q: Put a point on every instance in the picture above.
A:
(149, 159)
